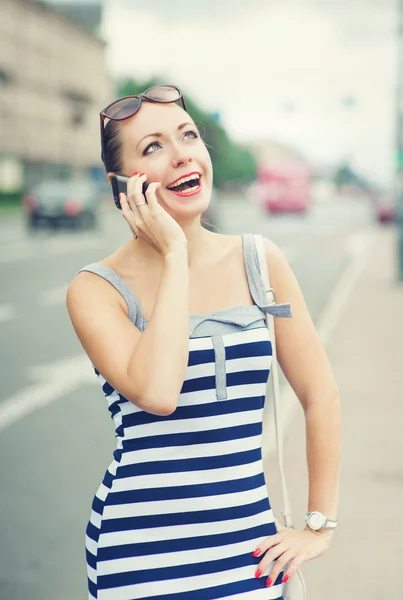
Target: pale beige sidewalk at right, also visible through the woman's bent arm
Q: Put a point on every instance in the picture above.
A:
(365, 349)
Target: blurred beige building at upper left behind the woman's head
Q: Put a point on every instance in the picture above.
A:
(53, 82)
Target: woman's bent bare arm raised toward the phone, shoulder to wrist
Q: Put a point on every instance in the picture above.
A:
(147, 368)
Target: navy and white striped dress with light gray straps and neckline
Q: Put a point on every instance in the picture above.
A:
(183, 504)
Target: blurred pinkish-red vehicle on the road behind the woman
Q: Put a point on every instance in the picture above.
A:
(285, 188)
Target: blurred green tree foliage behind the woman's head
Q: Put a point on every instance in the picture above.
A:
(232, 163)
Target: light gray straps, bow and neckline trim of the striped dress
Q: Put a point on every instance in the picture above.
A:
(213, 324)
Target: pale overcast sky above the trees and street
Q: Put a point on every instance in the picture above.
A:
(273, 68)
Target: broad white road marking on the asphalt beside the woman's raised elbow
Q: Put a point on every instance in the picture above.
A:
(56, 380)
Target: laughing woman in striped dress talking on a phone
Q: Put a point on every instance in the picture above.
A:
(173, 322)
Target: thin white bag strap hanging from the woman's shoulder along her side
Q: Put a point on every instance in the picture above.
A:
(286, 512)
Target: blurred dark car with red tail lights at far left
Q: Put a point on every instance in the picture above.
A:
(58, 203)
